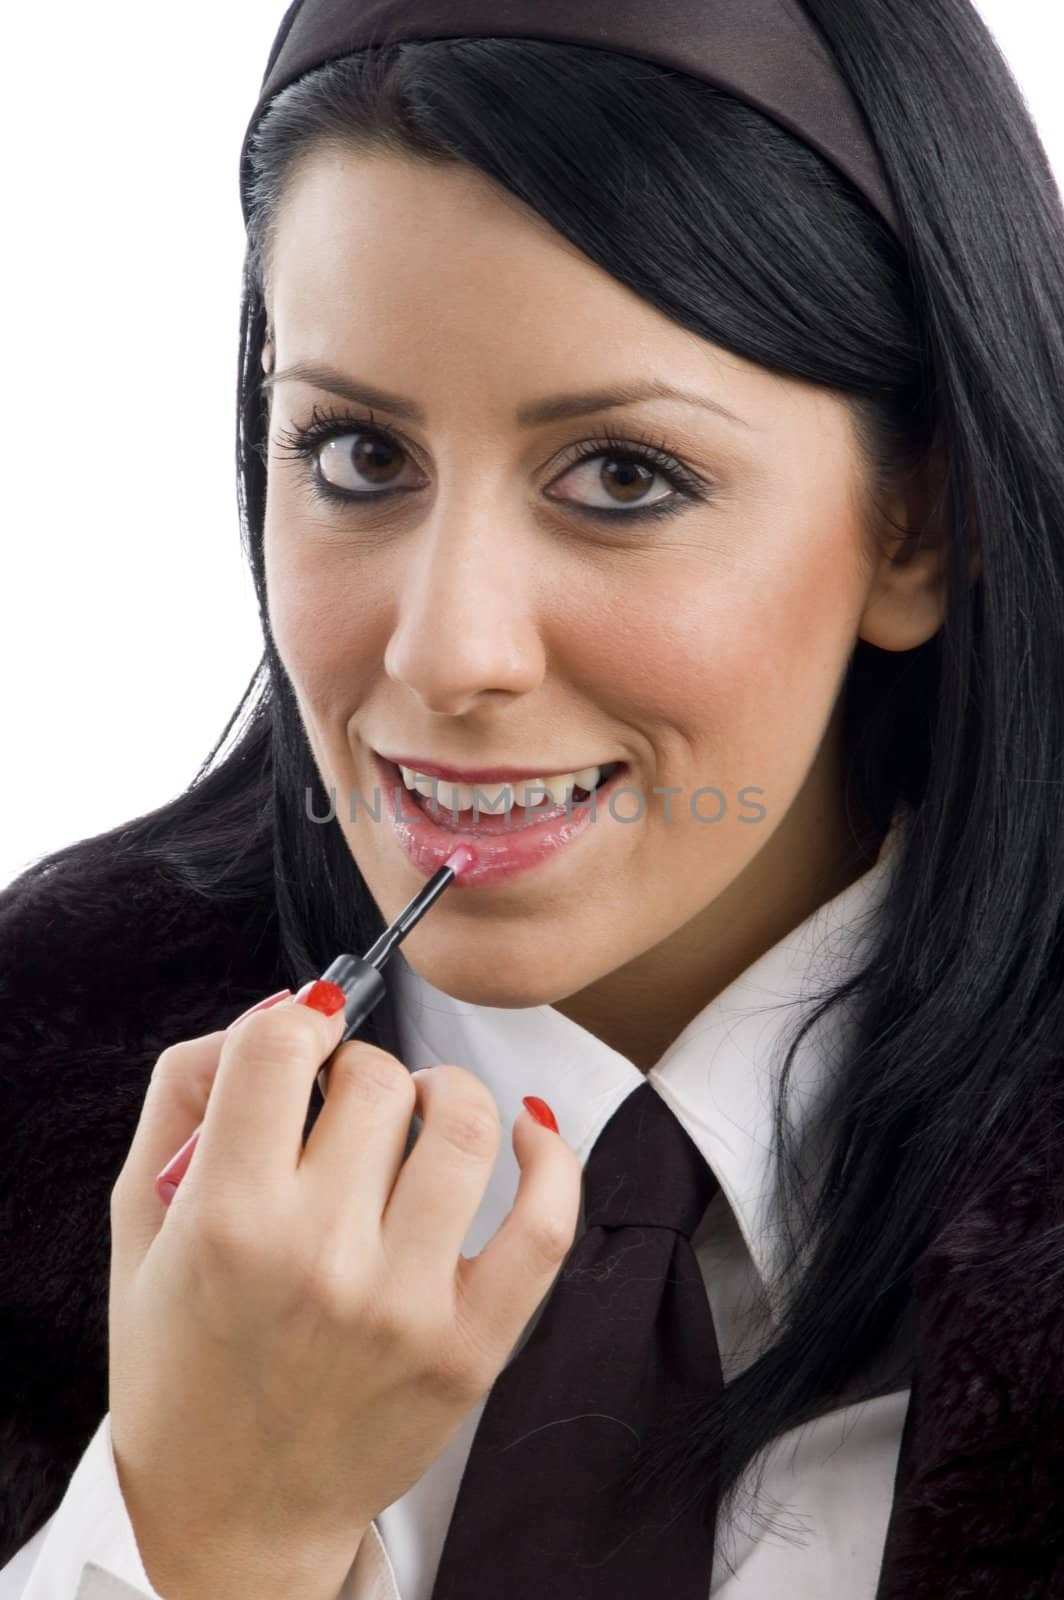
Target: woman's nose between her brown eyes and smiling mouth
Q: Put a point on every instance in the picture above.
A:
(466, 614)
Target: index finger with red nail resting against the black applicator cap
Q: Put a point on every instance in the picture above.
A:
(252, 1137)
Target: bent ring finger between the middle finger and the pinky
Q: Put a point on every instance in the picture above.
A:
(441, 1186)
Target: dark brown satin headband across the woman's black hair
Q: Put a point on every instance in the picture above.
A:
(764, 52)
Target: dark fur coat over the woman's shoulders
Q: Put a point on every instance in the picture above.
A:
(103, 964)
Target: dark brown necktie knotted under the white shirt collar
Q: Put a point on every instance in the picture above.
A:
(623, 1335)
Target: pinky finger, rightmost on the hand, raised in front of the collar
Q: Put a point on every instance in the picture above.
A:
(502, 1287)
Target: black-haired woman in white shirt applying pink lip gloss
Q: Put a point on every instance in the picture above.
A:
(823, 594)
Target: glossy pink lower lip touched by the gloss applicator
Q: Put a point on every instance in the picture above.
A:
(500, 857)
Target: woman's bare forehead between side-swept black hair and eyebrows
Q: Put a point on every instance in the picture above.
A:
(404, 271)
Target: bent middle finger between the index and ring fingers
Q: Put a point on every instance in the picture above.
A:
(358, 1145)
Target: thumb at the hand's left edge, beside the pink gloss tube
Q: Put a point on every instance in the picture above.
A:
(170, 1122)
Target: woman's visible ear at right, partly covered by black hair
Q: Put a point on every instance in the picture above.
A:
(906, 602)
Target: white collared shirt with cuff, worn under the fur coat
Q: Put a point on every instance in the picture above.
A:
(828, 1486)
